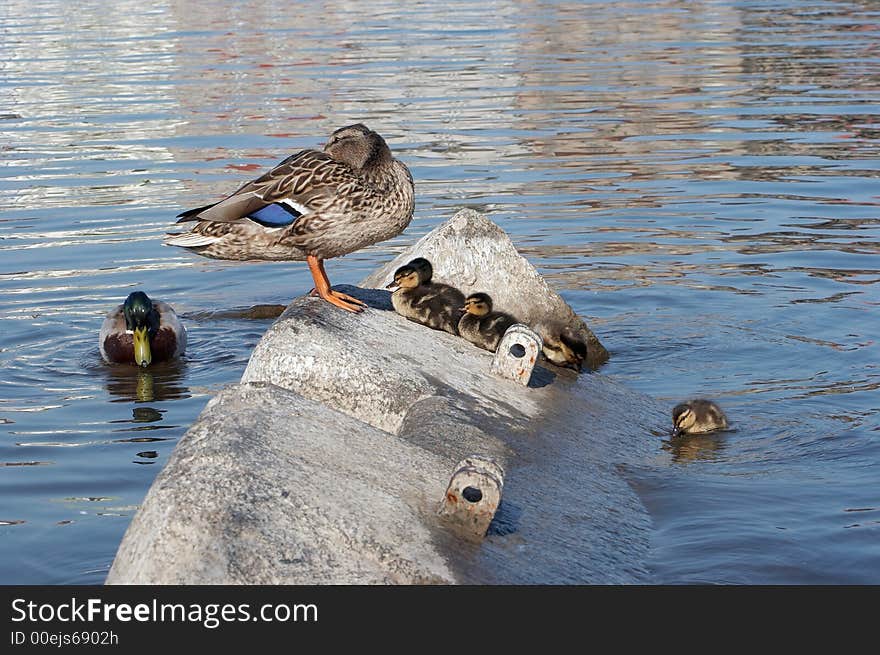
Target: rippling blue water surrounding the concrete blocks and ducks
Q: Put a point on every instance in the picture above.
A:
(698, 180)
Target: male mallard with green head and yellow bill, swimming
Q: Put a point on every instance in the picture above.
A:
(141, 331)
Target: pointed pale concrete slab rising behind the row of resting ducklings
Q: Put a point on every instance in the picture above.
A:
(473, 254)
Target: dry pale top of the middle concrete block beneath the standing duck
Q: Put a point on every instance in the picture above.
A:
(374, 366)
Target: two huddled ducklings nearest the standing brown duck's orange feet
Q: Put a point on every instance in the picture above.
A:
(418, 298)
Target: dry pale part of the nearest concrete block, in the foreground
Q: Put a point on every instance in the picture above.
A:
(271, 488)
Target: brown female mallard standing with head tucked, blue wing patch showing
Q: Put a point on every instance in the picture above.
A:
(313, 205)
